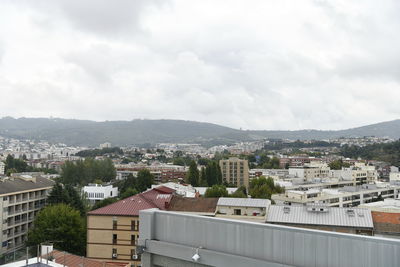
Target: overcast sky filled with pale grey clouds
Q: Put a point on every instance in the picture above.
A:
(244, 64)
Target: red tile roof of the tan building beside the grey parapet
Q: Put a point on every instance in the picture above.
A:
(130, 206)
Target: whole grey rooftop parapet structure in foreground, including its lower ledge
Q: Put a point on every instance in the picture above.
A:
(176, 239)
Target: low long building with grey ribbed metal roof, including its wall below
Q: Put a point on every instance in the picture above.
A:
(344, 220)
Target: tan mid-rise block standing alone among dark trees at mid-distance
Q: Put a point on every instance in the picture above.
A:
(235, 171)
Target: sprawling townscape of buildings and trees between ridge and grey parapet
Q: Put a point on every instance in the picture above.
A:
(305, 184)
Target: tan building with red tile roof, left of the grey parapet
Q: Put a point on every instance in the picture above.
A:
(113, 230)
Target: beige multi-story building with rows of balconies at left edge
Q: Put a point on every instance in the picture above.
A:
(21, 198)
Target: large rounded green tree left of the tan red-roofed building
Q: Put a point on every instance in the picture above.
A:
(63, 225)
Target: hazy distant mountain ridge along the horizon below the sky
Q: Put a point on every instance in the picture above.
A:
(91, 133)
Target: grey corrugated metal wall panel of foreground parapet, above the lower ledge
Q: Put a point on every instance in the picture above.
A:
(273, 243)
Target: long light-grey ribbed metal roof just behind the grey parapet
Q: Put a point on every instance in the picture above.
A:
(347, 217)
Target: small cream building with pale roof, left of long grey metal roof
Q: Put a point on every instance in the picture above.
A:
(243, 208)
